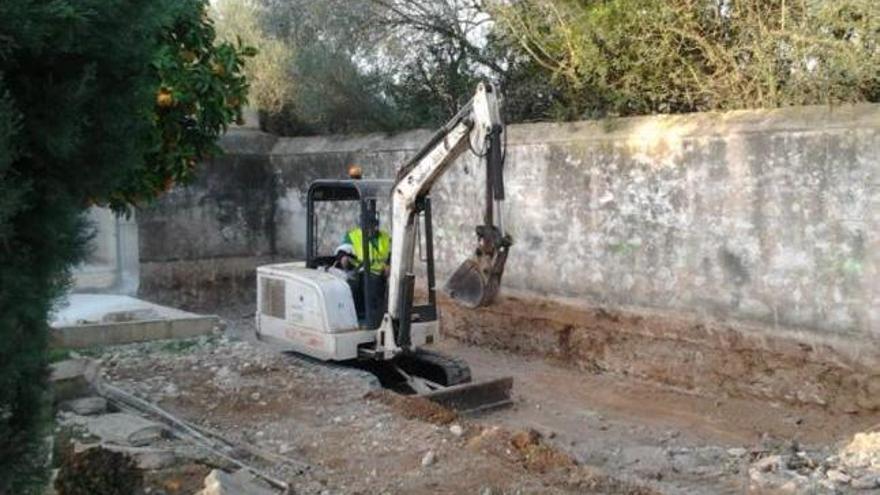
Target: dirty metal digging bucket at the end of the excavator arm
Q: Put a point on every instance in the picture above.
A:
(477, 281)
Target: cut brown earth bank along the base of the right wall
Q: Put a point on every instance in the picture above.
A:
(699, 356)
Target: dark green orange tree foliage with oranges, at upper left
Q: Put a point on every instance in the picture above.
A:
(201, 90)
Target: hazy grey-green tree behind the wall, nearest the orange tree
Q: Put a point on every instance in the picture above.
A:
(329, 87)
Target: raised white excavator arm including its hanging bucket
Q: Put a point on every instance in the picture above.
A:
(477, 126)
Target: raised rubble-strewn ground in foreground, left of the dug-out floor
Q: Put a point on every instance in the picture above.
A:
(339, 431)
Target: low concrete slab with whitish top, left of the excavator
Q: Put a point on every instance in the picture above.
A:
(91, 320)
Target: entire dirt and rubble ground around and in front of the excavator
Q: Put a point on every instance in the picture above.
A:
(571, 429)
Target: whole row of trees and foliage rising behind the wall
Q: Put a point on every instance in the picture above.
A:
(362, 65)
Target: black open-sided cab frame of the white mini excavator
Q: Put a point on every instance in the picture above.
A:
(361, 202)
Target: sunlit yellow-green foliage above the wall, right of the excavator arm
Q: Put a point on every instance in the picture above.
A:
(624, 57)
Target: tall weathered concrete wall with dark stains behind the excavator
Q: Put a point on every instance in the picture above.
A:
(767, 216)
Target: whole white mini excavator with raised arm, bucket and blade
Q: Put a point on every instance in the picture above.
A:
(307, 307)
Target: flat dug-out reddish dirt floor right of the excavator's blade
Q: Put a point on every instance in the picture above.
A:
(671, 441)
